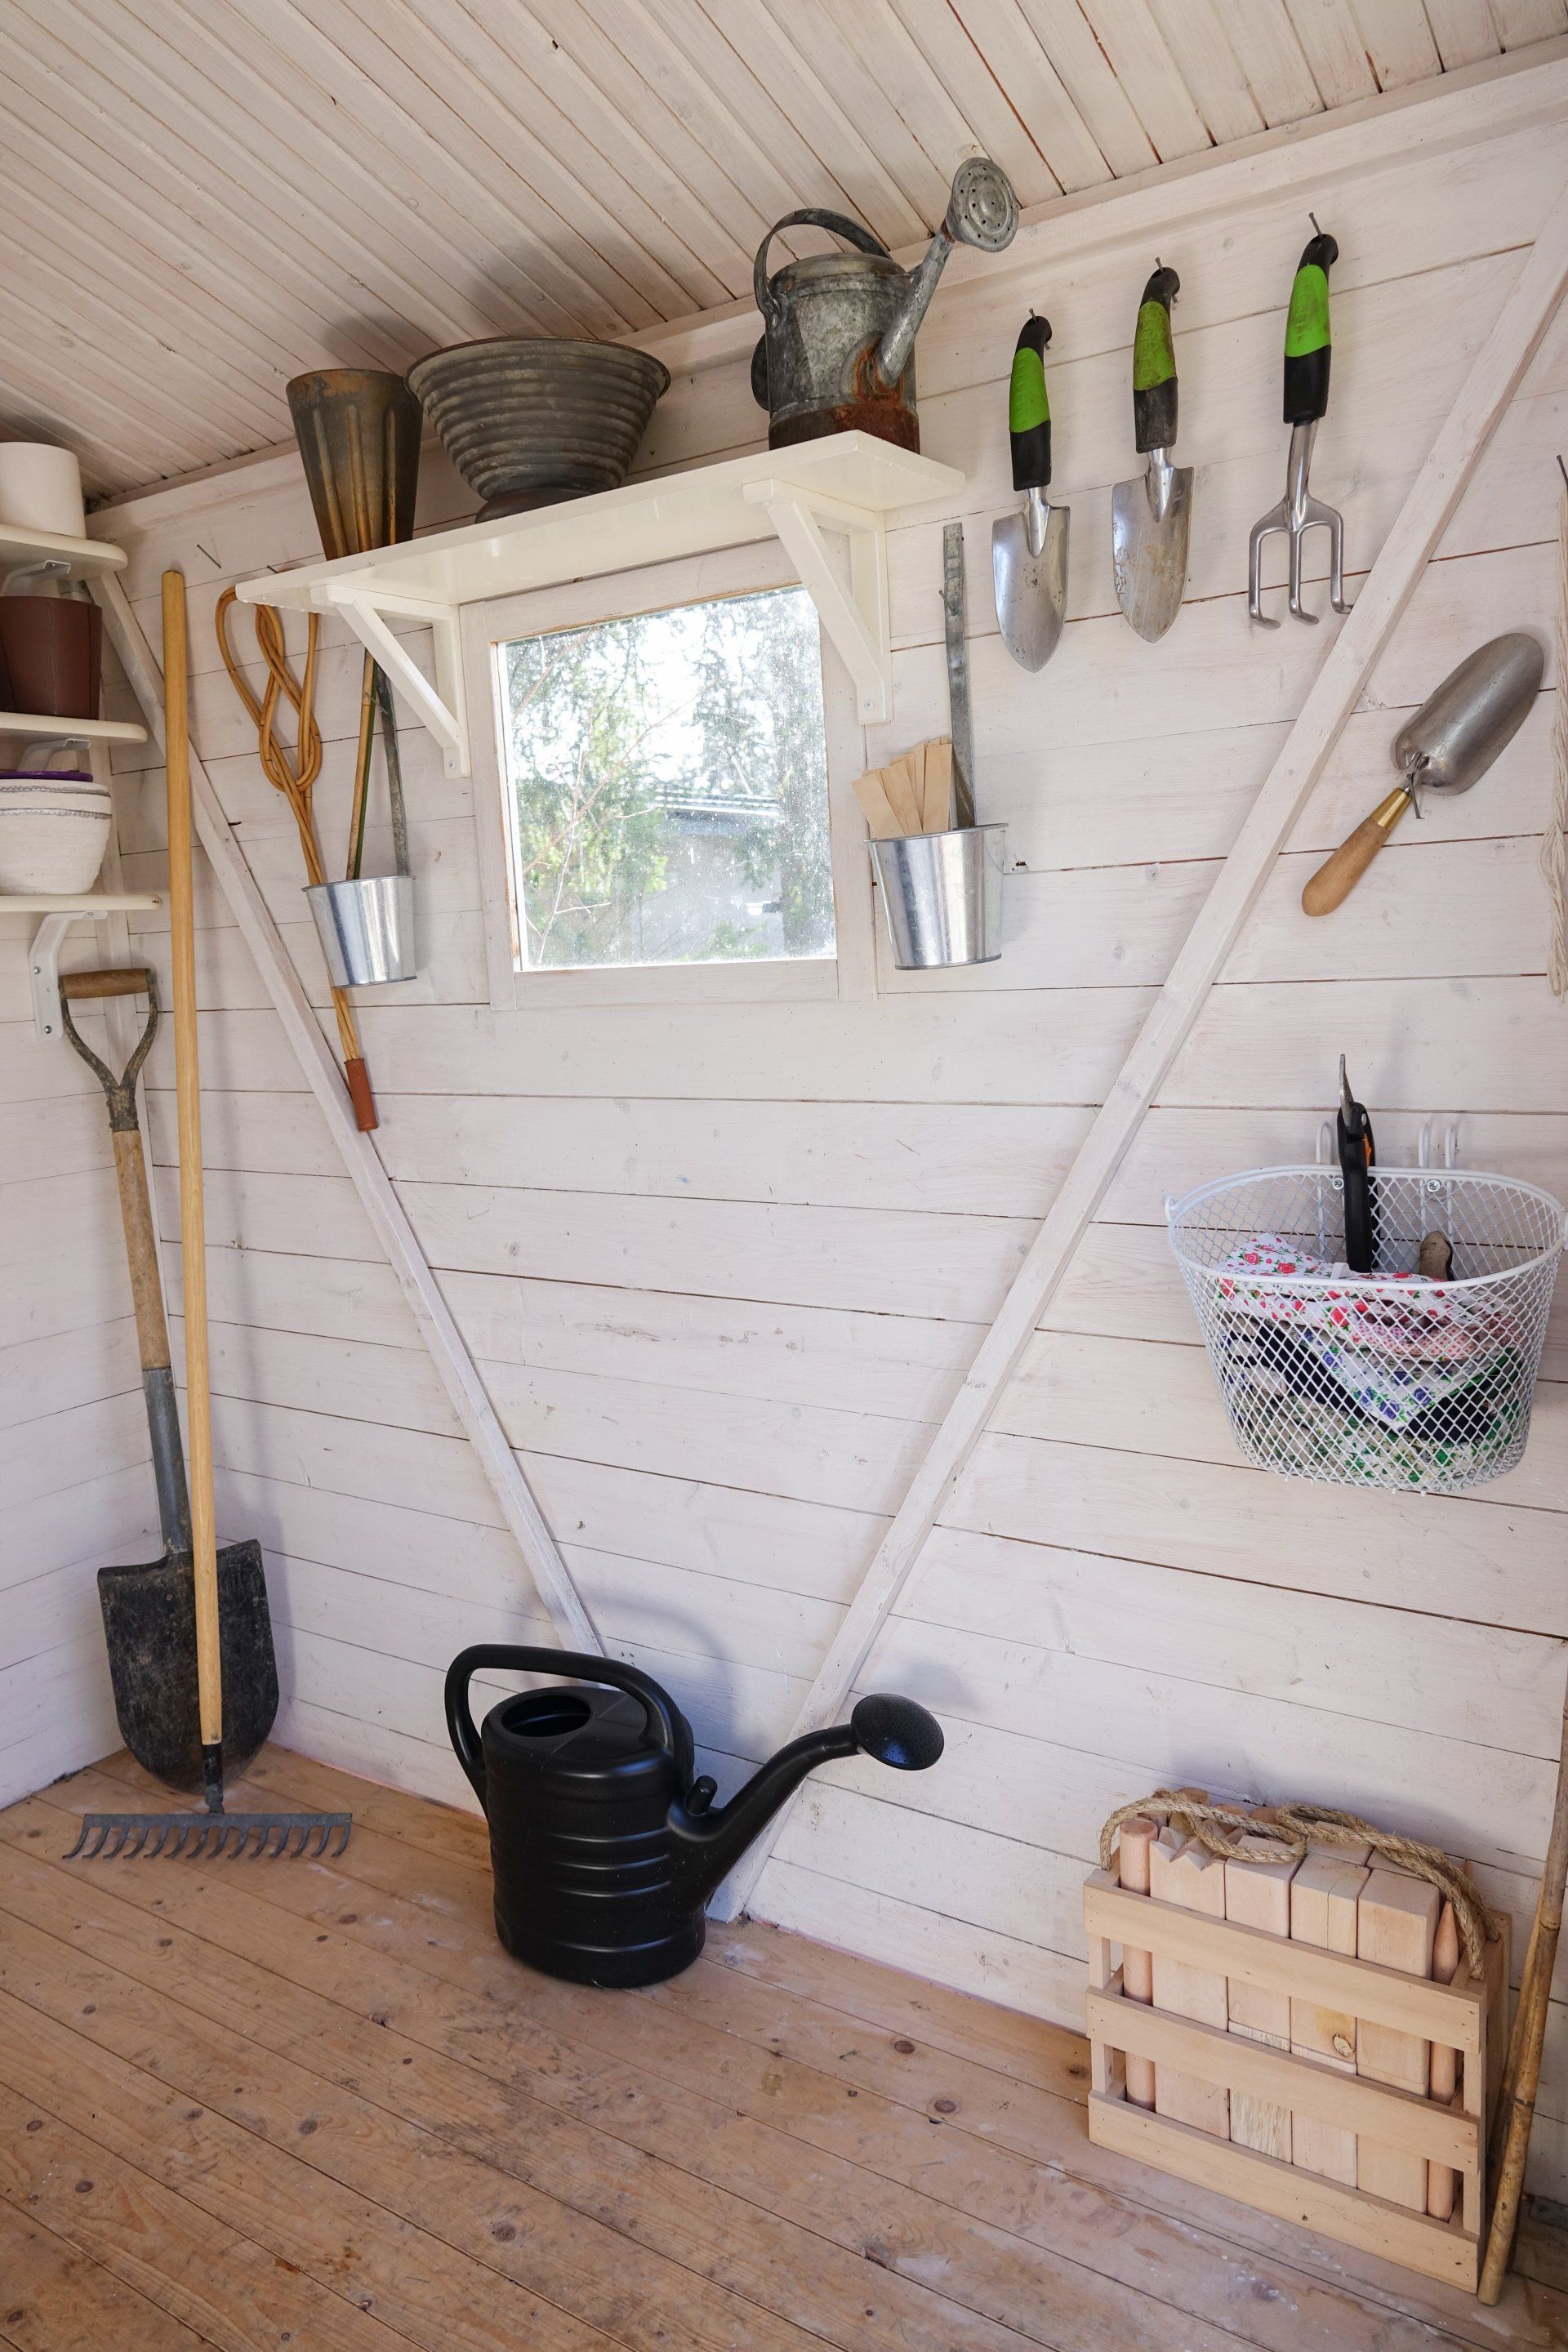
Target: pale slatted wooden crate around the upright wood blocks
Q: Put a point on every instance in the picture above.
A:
(1468, 2017)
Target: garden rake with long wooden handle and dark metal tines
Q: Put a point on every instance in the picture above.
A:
(121, 1836)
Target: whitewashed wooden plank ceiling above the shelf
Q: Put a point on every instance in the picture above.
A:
(208, 196)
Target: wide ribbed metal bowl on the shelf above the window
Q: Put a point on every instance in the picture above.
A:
(532, 420)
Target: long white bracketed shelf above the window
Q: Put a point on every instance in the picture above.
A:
(843, 483)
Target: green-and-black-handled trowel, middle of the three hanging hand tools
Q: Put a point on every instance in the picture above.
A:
(1153, 514)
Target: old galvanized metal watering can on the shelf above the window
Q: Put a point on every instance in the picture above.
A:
(838, 345)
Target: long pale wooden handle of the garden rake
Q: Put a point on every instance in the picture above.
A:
(192, 1220)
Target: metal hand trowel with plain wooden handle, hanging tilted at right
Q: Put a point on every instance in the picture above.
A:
(1445, 749)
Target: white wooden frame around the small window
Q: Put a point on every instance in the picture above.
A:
(845, 975)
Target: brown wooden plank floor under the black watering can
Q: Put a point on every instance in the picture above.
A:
(286, 2104)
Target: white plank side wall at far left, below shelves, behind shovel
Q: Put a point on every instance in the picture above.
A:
(74, 1438)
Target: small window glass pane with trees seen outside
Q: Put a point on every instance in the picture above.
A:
(666, 787)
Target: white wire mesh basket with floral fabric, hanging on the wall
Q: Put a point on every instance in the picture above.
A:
(1386, 1379)
